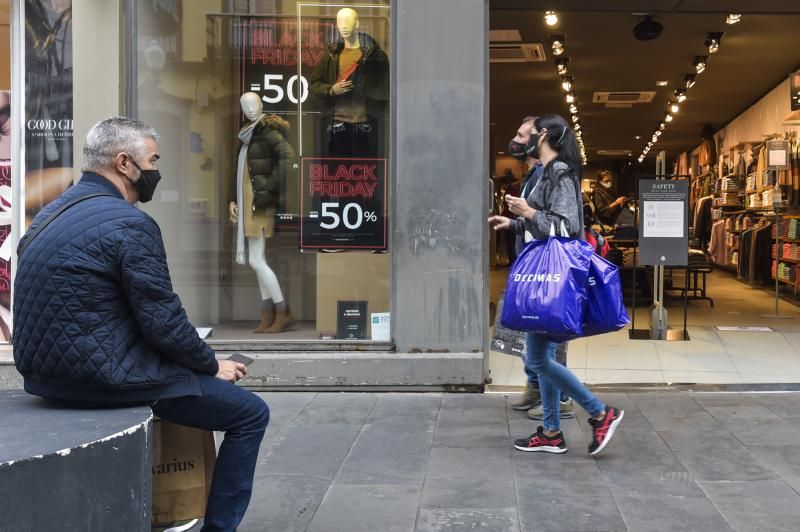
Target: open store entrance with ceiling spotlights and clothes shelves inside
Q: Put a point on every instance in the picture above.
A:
(709, 90)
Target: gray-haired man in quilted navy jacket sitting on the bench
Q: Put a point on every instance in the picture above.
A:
(98, 325)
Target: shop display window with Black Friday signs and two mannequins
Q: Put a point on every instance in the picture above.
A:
(274, 130)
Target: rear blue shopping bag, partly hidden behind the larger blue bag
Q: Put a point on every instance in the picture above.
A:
(605, 309)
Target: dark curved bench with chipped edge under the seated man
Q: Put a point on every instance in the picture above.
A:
(68, 469)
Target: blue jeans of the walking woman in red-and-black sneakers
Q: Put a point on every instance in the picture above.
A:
(554, 377)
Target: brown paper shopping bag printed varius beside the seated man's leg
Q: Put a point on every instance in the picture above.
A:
(183, 466)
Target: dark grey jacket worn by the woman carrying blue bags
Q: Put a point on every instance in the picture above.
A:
(556, 198)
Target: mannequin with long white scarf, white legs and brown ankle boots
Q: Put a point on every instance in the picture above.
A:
(264, 158)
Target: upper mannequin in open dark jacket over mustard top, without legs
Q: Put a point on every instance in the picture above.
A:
(351, 81)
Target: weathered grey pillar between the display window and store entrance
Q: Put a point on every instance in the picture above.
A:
(440, 175)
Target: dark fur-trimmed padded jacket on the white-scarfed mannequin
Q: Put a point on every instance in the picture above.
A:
(269, 159)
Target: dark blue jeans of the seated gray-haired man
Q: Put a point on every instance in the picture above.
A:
(243, 416)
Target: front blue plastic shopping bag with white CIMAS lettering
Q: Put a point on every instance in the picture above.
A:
(546, 288)
